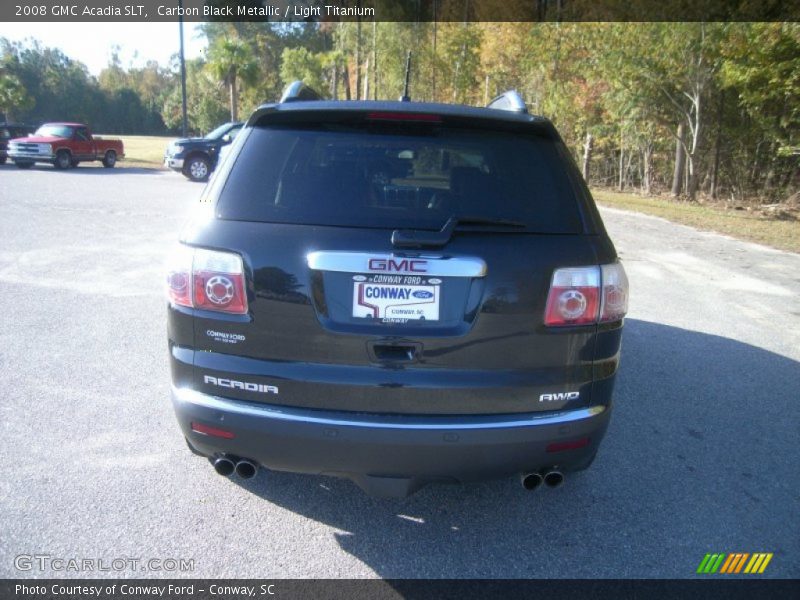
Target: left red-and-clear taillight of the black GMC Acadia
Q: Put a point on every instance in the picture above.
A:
(206, 279)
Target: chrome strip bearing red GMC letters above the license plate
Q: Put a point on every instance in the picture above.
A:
(359, 262)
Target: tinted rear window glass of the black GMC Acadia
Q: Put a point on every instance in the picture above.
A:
(384, 177)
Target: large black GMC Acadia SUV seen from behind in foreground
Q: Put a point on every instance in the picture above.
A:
(397, 293)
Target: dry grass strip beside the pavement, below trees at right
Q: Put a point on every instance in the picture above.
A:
(742, 224)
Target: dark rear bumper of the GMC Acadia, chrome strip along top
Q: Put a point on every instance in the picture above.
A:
(390, 455)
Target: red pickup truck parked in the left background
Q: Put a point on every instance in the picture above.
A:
(64, 145)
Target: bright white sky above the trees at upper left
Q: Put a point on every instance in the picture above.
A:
(91, 43)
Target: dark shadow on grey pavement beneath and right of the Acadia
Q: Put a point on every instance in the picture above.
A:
(701, 455)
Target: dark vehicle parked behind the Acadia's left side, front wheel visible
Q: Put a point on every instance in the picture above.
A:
(196, 158)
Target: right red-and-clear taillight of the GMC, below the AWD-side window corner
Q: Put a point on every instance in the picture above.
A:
(585, 295)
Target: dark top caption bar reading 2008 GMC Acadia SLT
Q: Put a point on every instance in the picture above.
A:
(400, 10)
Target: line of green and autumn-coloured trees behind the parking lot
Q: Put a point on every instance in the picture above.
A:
(691, 109)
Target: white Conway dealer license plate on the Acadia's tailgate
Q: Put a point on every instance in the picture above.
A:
(396, 302)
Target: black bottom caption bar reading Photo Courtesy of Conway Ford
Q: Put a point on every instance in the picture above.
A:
(711, 588)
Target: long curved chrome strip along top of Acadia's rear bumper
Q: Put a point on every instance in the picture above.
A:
(392, 422)
